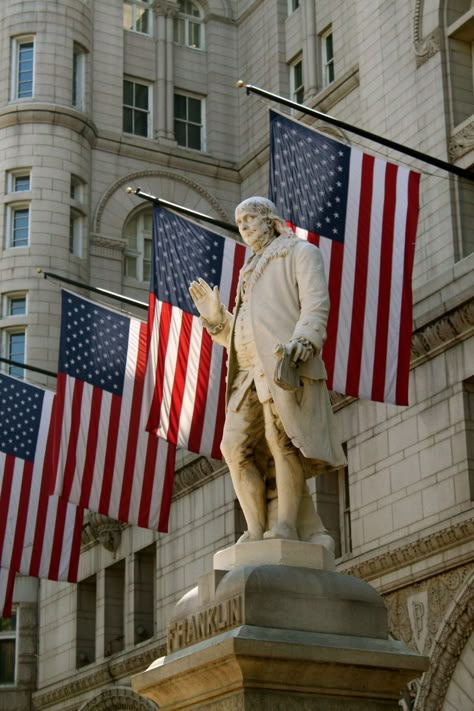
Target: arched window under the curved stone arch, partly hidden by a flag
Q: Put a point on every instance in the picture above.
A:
(137, 256)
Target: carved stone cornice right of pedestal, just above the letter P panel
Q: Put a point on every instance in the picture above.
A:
(413, 552)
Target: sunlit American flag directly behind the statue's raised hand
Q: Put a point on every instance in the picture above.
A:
(186, 372)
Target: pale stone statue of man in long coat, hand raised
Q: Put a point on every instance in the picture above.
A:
(279, 422)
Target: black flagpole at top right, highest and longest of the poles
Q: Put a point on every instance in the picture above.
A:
(449, 167)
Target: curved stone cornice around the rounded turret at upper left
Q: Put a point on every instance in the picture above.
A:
(53, 114)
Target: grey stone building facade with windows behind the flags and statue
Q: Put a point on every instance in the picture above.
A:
(96, 97)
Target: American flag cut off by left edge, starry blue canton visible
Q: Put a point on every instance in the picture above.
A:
(39, 534)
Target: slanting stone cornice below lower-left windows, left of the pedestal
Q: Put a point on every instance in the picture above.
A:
(98, 675)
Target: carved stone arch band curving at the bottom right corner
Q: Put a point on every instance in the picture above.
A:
(448, 645)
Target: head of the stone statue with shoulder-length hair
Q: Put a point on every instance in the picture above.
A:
(258, 222)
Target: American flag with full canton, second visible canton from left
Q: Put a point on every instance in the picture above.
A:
(108, 463)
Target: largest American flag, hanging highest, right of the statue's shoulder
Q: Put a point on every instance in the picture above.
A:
(362, 213)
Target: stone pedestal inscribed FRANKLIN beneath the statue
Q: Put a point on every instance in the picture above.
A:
(279, 637)
